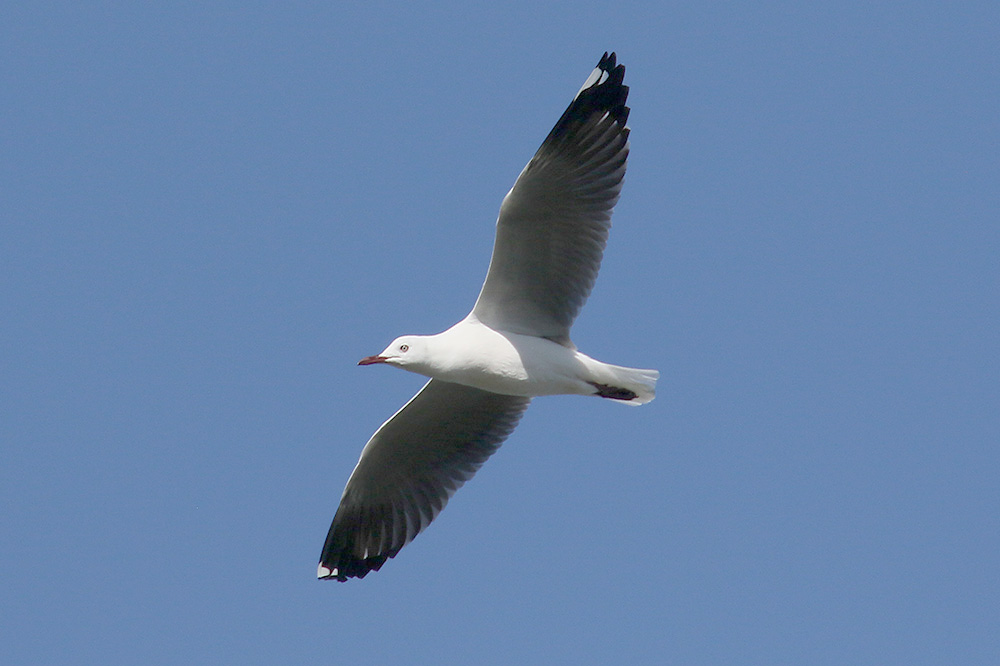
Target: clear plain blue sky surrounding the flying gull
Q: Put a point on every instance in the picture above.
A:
(210, 212)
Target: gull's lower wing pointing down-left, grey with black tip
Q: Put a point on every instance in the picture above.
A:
(409, 470)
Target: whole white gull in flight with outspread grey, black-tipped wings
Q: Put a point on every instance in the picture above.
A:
(513, 346)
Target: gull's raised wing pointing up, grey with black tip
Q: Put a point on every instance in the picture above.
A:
(554, 222)
